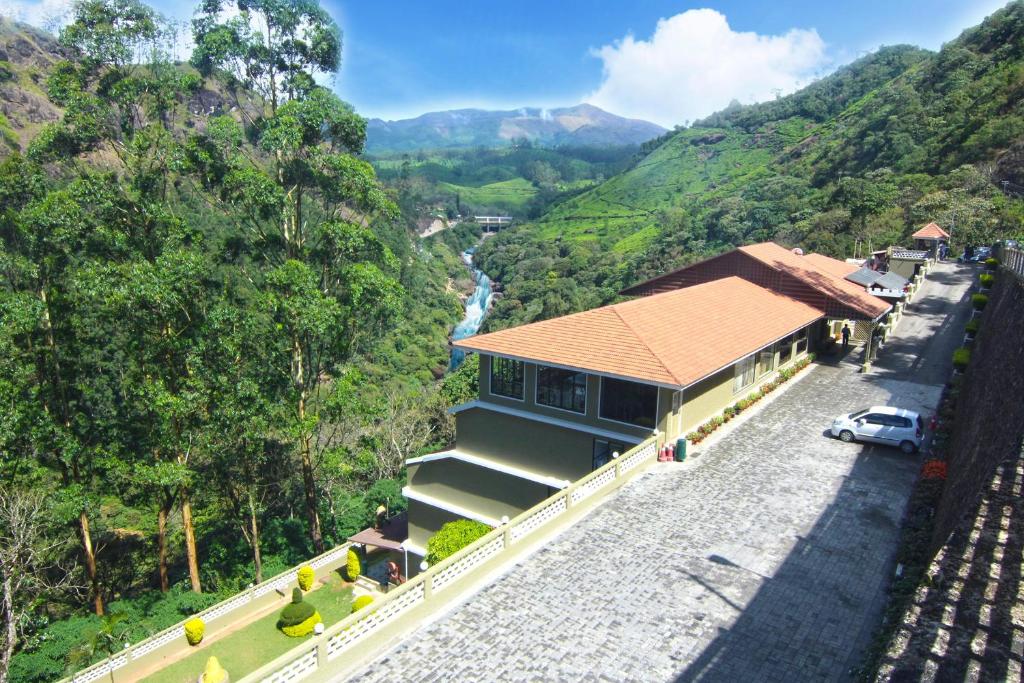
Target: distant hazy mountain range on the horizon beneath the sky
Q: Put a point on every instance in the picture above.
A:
(579, 126)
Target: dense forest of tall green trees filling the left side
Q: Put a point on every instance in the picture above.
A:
(221, 339)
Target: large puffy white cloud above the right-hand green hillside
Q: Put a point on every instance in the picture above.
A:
(695, 65)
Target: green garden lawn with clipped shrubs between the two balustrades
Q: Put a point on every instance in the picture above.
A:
(249, 649)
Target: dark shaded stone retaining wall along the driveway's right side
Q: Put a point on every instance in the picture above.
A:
(990, 422)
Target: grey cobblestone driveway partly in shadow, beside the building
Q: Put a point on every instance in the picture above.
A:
(766, 559)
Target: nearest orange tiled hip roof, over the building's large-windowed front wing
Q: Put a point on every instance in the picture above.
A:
(671, 339)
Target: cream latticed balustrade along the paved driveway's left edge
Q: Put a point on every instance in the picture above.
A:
(315, 655)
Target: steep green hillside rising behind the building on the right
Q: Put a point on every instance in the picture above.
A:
(857, 160)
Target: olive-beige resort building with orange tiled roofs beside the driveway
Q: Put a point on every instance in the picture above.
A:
(561, 397)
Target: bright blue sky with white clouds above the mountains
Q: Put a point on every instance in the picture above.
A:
(669, 62)
